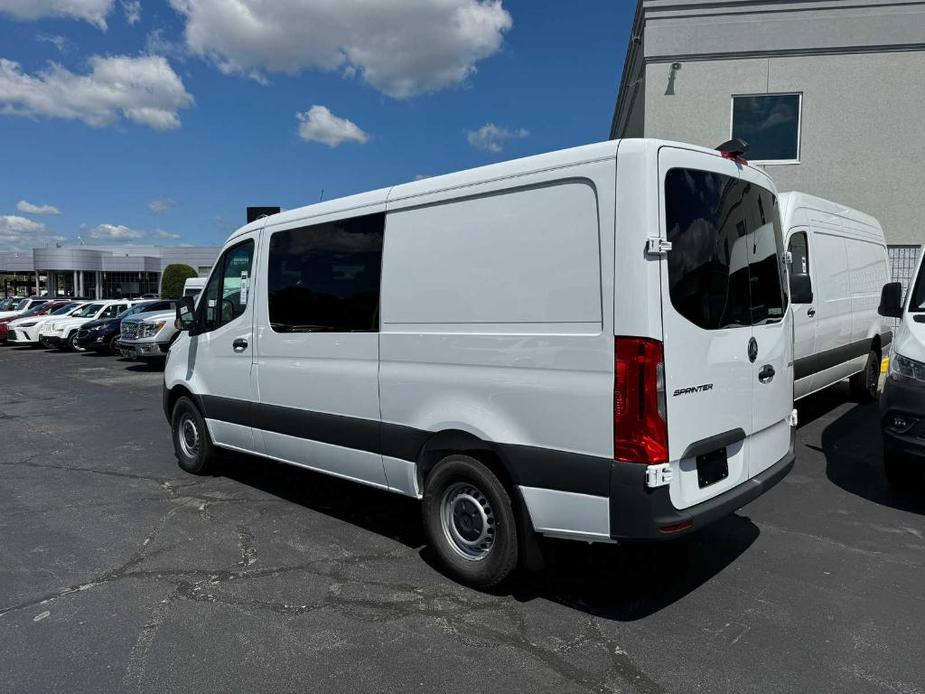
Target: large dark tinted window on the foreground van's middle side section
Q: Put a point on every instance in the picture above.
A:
(326, 277)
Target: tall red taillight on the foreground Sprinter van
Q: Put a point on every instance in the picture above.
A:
(640, 431)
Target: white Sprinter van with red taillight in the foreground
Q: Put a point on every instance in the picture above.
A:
(584, 344)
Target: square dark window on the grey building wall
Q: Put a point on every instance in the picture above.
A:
(770, 124)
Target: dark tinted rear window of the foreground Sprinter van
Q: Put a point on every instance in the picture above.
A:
(724, 268)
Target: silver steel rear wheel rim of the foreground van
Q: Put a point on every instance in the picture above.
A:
(468, 521)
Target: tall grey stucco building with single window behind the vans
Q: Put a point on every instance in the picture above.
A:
(828, 94)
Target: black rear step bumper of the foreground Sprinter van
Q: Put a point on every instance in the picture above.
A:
(639, 513)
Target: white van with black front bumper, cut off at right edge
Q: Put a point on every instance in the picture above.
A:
(902, 405)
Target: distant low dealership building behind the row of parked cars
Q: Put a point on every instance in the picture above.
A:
(101, 272)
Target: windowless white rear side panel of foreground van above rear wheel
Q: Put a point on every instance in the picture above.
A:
(496, 306)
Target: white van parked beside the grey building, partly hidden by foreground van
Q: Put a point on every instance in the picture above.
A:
(839, 266)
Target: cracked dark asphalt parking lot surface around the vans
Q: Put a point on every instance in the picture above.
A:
(121, 573)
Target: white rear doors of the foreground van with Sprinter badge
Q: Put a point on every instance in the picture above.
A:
(717, 223)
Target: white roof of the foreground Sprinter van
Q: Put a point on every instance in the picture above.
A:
(459, 179)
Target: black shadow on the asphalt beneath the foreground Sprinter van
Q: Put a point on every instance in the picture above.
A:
(622, 583)
